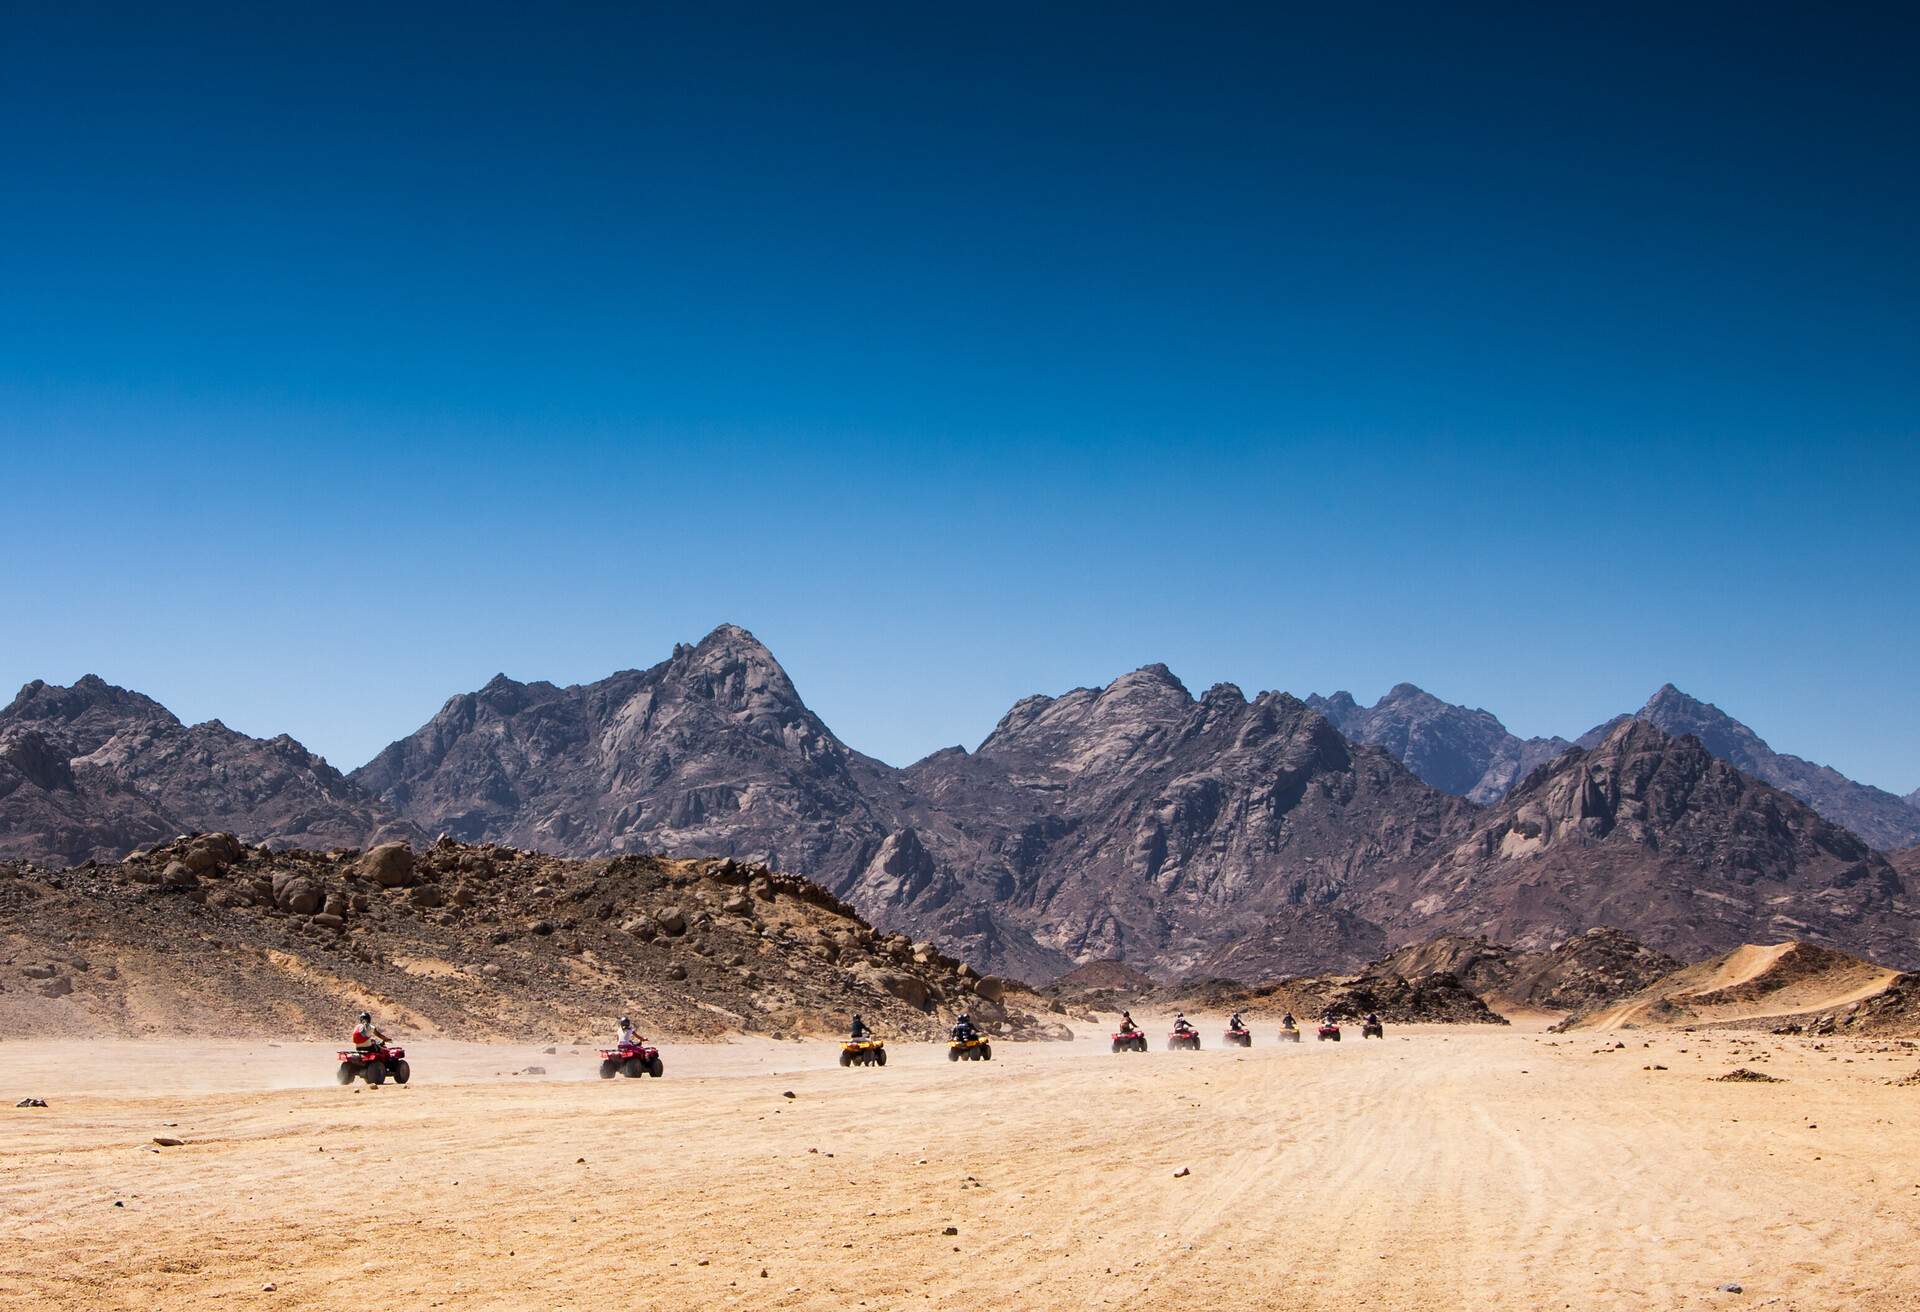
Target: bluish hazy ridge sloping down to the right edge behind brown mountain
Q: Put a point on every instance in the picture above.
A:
(1883, 819)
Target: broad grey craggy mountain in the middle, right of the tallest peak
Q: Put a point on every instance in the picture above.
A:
(1136, 821)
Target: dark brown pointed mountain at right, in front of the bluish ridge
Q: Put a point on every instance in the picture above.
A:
(1656, 837)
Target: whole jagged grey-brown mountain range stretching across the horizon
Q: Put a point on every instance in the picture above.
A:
(1216, 835)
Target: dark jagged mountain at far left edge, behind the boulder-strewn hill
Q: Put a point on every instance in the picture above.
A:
(89, 773)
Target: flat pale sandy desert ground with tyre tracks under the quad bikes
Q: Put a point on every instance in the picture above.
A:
(1443, 1169)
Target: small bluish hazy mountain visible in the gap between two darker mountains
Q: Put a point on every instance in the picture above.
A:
(1458, 750)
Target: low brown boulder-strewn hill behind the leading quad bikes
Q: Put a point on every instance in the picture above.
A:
(212, 936)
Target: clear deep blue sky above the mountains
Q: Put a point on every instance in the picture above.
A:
(350, 356)
